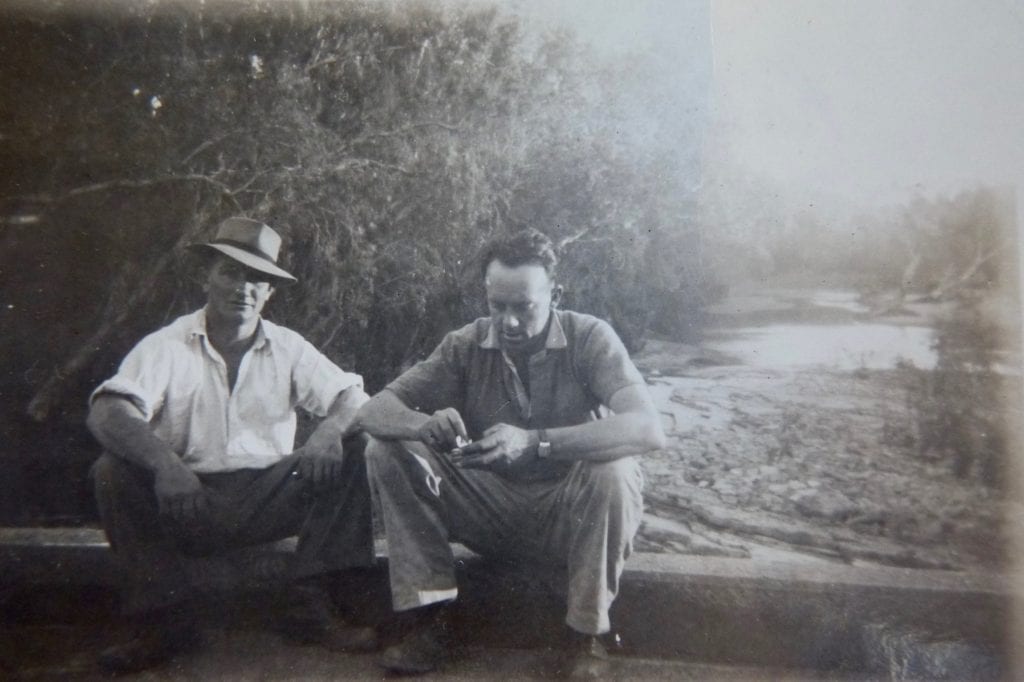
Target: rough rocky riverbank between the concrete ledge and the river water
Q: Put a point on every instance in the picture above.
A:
(805, 464)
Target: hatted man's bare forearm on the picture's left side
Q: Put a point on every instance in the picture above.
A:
(120, 429)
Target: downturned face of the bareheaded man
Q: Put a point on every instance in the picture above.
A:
(520, 300)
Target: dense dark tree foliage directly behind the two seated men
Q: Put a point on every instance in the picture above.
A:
(387, 145)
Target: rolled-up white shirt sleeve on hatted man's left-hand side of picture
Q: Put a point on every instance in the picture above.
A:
(143, 378)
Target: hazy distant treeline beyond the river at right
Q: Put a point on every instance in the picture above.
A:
(936, 248)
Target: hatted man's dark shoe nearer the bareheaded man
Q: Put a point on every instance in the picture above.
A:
(310, 620)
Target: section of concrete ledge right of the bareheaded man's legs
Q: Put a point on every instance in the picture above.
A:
(819, 617)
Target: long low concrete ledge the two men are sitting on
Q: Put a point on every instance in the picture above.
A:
(708, 610)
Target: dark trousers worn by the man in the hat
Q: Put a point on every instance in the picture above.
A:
(164, 563)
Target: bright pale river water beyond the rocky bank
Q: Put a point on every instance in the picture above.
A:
(827, 329)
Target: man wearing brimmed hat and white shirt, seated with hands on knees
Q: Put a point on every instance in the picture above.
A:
(199, 428)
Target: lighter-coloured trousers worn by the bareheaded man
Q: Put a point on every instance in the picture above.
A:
(584, 524)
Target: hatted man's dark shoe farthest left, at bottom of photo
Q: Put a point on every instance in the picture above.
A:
(153, 644)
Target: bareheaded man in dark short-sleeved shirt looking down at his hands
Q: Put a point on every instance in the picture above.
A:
(542, 479)
